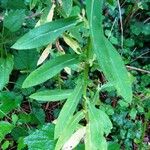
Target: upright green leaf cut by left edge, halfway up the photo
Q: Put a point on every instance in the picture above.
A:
(6, 66)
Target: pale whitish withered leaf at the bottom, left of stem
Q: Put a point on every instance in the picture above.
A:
(74, 139)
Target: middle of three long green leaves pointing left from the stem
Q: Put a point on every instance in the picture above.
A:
(49, 69)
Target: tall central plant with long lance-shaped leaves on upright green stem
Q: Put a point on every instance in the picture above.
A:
(97, 122)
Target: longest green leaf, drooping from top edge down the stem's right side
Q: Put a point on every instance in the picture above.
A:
(108, 58)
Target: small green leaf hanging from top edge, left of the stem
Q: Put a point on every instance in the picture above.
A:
(65, 7)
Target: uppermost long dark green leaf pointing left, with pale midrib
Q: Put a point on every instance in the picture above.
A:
(45, 34)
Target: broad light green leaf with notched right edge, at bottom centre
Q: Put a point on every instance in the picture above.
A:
(95, 129)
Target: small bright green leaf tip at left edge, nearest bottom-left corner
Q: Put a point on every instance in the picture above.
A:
(5, 128)
